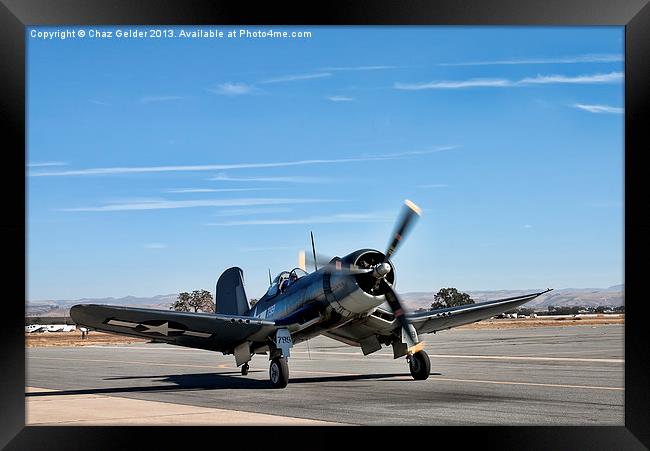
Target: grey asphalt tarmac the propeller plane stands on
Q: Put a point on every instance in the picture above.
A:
(571, 375)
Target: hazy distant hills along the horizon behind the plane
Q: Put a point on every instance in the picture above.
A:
(568, 297)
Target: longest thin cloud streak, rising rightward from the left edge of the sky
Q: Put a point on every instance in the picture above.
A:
(219, 167)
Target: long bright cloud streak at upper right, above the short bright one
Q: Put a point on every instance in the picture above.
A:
(611, 77)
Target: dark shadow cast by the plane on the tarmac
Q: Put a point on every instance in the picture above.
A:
(211, 381)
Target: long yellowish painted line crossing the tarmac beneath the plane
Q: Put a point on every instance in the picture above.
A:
(223, 366)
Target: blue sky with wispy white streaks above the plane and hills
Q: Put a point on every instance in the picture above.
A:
(155, 164)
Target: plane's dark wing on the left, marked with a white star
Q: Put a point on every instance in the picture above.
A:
(195, 330)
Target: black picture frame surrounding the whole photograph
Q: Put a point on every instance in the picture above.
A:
(15, 15)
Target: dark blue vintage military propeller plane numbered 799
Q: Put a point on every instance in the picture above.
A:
(350, 299)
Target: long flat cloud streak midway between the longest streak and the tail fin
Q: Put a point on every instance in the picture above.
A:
(170, 204)
